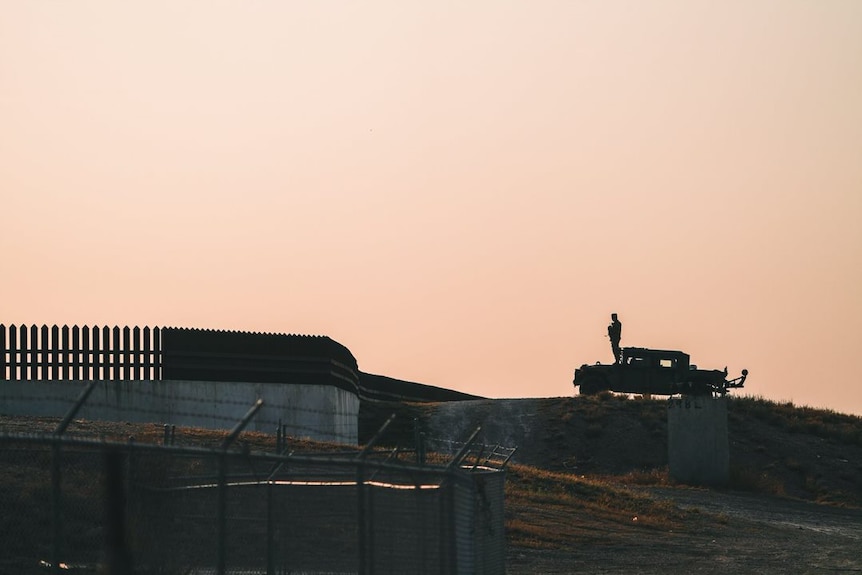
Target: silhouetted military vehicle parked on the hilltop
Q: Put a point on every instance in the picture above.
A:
(654, 372)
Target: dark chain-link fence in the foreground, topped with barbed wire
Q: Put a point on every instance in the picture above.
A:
(69, 502)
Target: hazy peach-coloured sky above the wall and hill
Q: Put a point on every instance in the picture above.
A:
(461, 193)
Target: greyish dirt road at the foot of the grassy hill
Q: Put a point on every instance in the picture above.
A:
(736, 534)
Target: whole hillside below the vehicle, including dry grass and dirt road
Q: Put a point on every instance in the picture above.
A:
(588, 491)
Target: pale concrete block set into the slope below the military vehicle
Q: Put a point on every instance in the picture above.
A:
(698, 451)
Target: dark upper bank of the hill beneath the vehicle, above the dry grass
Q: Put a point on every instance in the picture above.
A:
(777, 449)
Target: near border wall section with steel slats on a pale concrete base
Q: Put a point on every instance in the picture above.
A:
(188, 377)
